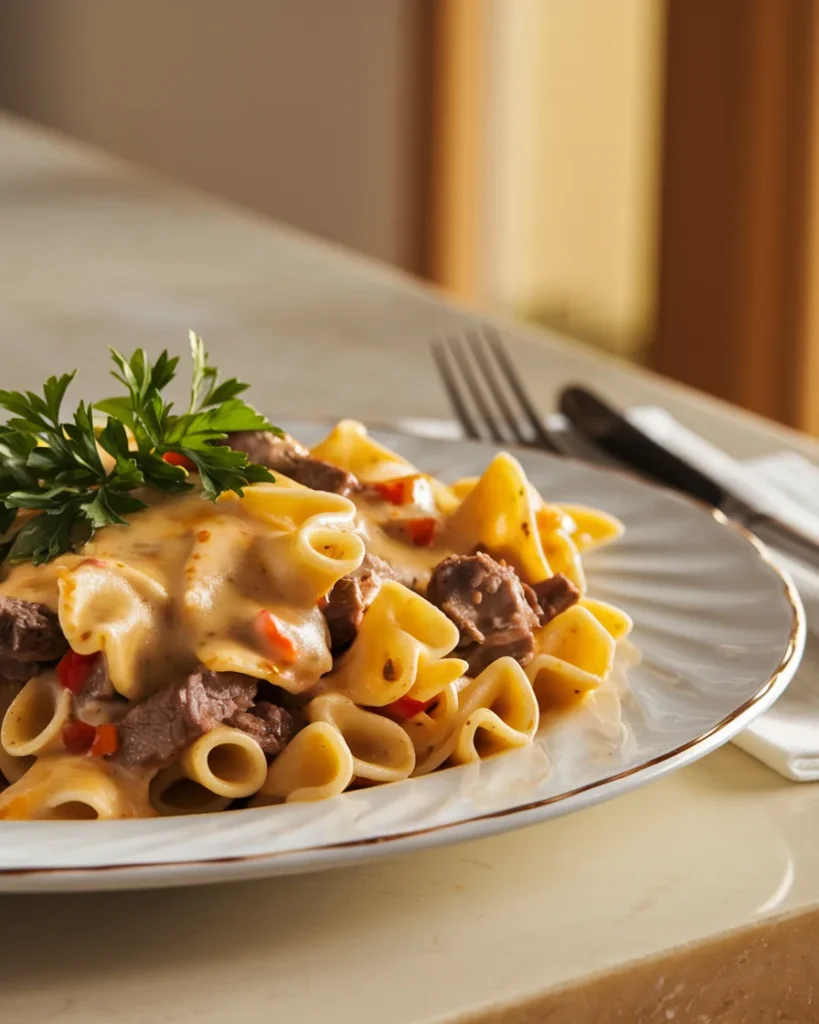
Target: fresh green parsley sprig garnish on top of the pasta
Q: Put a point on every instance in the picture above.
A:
(55, 467)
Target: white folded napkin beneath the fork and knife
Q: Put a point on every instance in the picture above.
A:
(787, 737)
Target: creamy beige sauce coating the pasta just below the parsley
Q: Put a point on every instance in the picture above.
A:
(182, 585)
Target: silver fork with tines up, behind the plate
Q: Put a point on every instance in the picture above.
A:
(489, 398)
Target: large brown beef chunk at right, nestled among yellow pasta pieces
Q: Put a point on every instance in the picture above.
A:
(488, 604)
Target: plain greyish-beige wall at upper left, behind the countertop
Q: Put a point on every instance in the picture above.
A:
(307, 110)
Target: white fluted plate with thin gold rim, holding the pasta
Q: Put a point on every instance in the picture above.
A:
(720, 632)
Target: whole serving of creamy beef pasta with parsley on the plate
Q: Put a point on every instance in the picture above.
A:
(197, 613)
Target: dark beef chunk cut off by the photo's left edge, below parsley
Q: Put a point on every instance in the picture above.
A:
(30, 634)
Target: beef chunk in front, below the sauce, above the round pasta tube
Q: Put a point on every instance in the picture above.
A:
(157, 732)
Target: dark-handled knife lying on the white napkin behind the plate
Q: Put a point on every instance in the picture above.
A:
(608, 430)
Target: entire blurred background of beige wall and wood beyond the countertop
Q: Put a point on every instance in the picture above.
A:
(636, 174)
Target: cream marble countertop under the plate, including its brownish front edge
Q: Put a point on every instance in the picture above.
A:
(621, 913)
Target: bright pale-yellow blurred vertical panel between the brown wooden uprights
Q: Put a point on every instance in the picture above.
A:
(573, 164)
